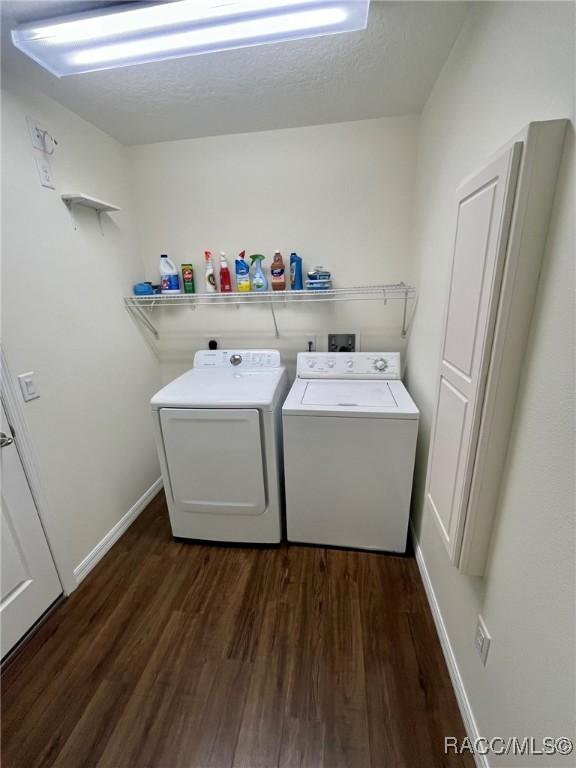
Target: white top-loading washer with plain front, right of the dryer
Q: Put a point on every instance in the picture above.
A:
(350, 431)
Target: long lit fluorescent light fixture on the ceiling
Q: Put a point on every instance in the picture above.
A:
(143, 33)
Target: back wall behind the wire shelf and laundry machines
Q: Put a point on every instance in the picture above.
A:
(340, 195)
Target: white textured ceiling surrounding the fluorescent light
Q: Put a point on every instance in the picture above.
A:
(389, 69)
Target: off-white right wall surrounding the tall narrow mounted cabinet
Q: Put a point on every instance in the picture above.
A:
(512, 63)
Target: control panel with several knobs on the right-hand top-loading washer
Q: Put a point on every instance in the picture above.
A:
(349, 365)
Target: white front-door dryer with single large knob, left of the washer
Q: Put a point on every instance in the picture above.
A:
(218, 430)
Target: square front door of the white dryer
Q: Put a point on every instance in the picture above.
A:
(215, 460)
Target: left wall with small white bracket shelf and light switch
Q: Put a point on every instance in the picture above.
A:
(63, 318)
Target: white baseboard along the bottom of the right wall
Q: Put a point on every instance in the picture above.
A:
(455, 676)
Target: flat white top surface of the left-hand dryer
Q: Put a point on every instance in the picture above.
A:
(222, 388)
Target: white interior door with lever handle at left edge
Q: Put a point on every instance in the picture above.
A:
(30, 583)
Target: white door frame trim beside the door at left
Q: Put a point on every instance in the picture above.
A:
(10, 394)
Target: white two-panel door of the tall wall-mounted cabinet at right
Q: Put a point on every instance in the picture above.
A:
(484, 210)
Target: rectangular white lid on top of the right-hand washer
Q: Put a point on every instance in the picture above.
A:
(349, 394)
